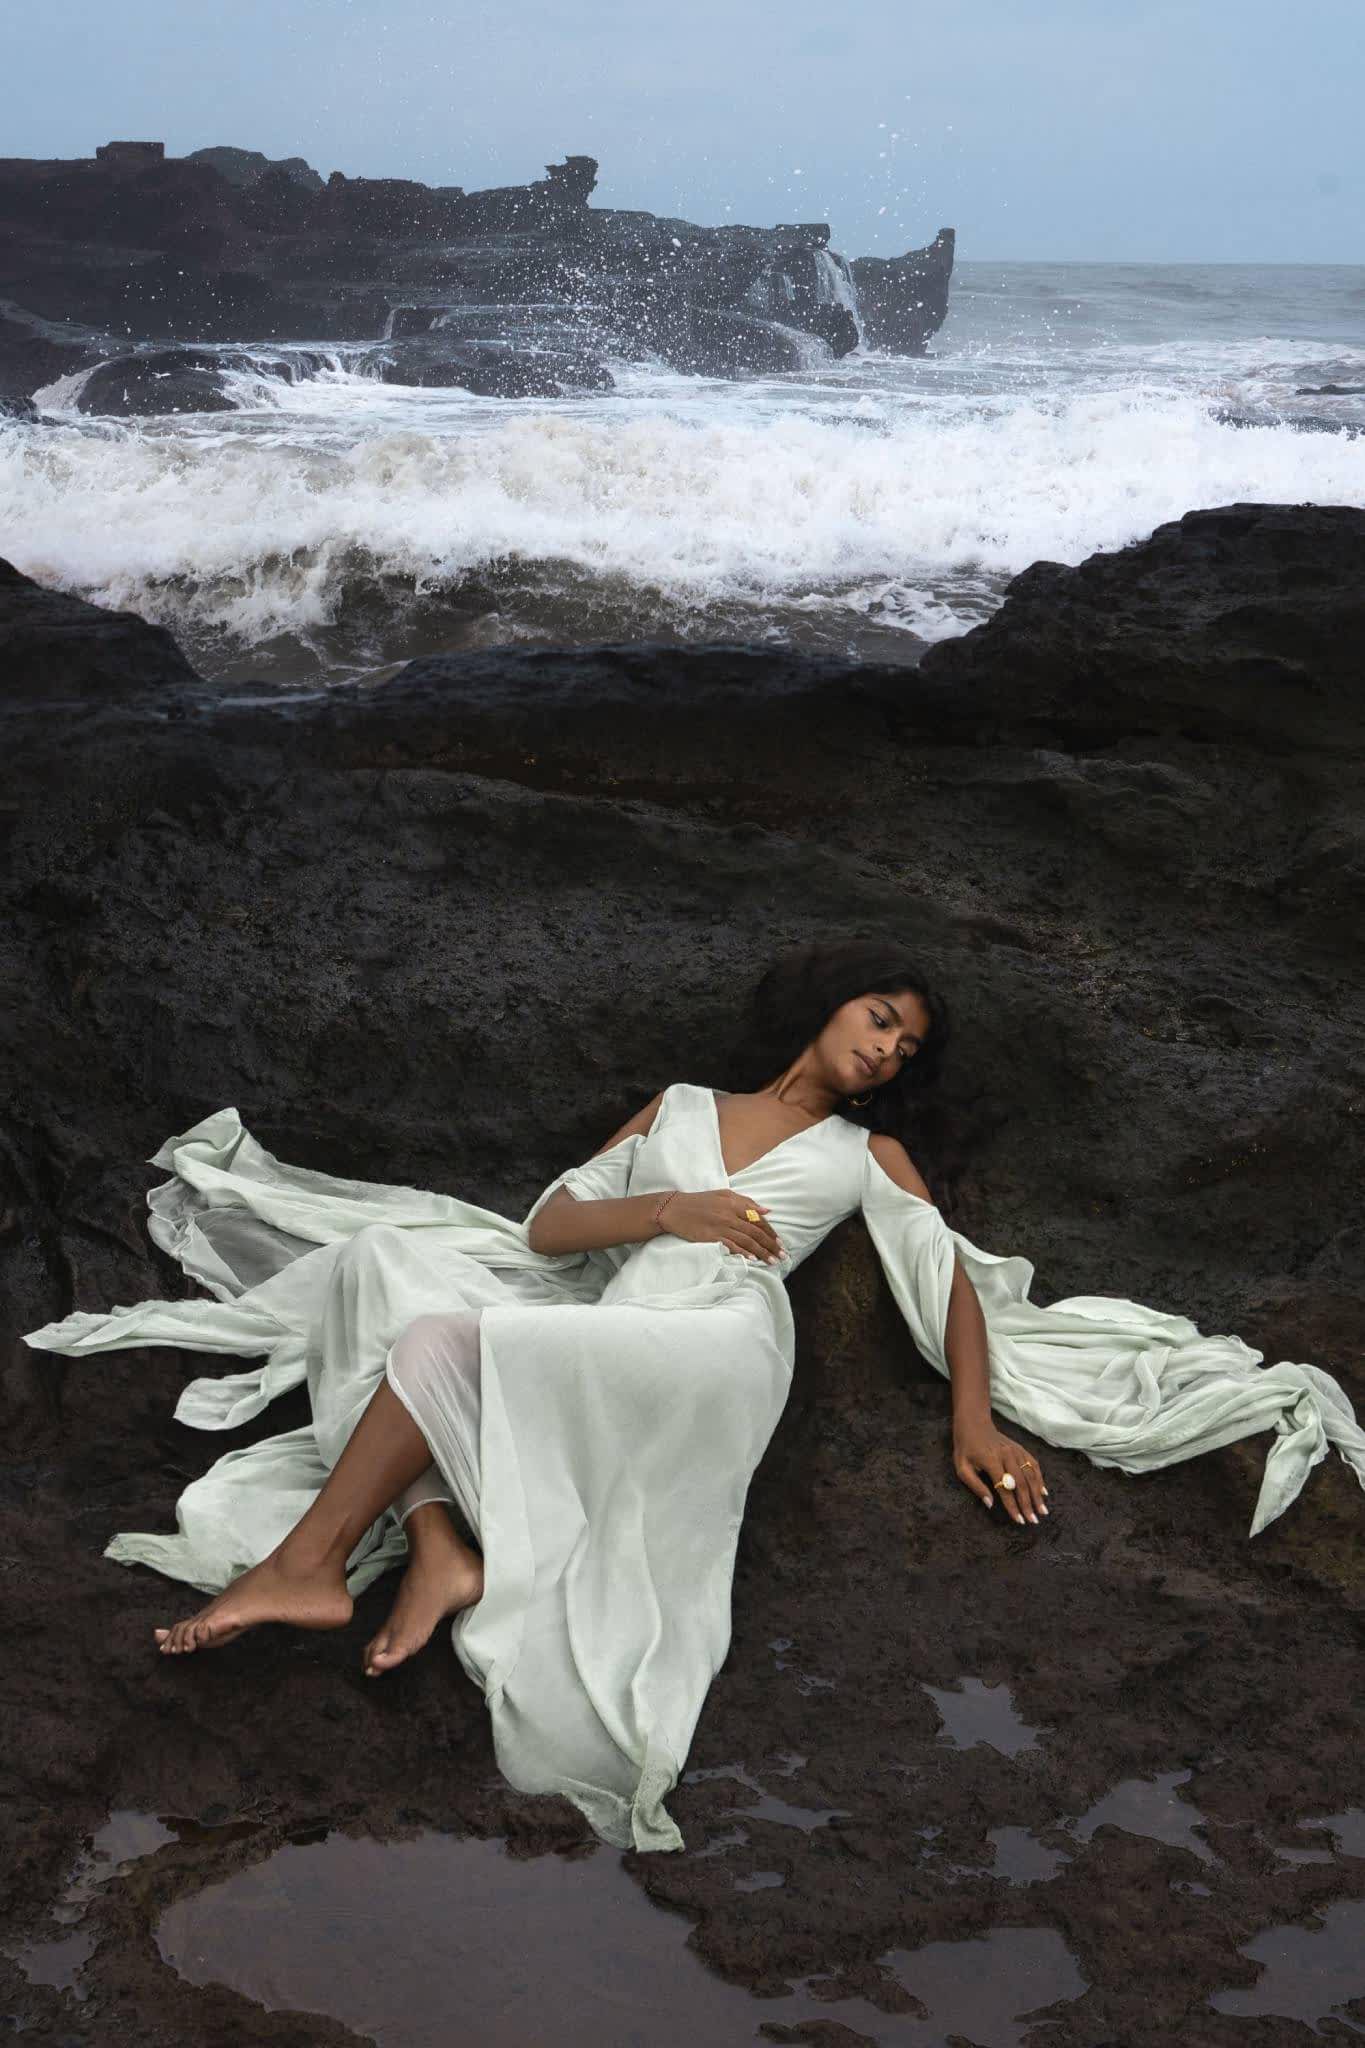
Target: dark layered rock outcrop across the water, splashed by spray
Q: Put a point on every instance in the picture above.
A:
(228, 247)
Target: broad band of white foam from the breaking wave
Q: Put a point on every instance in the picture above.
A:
(259, 534)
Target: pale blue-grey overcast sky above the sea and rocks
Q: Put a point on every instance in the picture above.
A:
(1108, 130)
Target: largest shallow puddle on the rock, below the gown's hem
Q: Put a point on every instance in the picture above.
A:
(435, 1940)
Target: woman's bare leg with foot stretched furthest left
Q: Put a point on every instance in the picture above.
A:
(304, 1580)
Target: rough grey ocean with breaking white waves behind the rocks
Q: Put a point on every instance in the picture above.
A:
(335, 525)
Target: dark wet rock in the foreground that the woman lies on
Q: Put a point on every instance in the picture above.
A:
(451, 931)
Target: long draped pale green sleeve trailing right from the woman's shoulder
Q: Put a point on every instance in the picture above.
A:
(1131, 1388)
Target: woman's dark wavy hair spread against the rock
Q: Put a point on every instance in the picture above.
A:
(799, 994)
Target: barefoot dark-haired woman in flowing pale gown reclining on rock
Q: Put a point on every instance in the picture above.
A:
(556, 1422)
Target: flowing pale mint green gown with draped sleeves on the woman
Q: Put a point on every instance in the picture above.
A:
(627, 1398)
